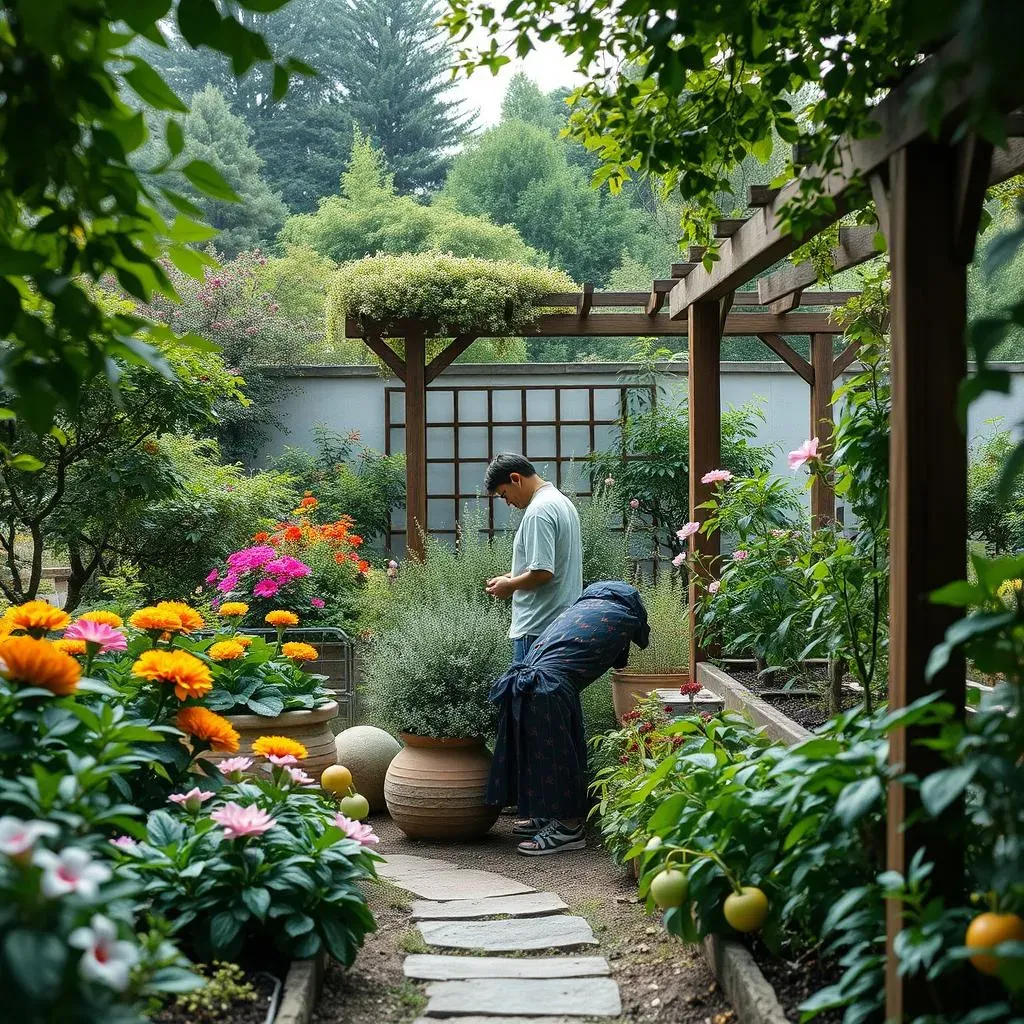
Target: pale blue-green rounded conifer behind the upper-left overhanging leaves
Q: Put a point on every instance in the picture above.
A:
(215, 135)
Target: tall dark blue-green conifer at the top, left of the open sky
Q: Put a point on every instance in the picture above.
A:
(395, 66)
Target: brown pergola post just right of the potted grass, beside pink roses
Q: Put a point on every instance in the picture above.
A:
(704, 385)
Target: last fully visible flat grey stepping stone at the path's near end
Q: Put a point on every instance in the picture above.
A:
(519, 997)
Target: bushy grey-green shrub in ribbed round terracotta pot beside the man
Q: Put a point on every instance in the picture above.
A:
(430, 672)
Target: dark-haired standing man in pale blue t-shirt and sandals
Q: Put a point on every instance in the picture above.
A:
(546, 579)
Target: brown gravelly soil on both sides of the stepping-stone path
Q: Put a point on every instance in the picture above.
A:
(661, 980)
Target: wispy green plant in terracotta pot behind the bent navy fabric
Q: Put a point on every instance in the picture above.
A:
(665, 663)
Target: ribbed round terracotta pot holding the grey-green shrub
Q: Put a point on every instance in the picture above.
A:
(437, 788)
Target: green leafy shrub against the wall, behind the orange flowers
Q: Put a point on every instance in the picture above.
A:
(349, 479)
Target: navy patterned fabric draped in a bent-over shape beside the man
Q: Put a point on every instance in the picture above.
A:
(540, 760)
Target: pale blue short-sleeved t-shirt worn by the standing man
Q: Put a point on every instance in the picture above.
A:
(548, 539)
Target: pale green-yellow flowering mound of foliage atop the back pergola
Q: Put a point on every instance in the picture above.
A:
(453, 295)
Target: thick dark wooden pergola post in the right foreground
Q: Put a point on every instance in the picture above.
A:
(928, 502)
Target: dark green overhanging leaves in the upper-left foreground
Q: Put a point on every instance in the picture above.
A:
(76, 210)
